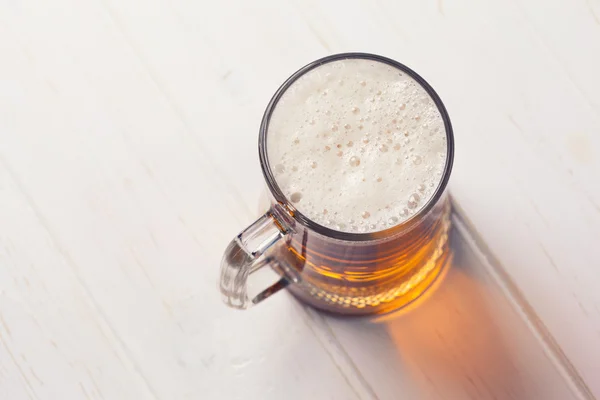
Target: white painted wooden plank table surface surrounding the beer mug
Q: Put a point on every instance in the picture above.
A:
(128, 159)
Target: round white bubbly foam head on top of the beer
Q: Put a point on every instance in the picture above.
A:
(357, 145)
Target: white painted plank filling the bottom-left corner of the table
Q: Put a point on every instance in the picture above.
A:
(53, 341)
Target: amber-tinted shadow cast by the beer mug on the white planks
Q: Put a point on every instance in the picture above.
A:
(461, 340)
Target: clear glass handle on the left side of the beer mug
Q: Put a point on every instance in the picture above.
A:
(249, 252)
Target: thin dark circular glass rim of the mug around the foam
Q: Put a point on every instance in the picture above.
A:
(323, 230)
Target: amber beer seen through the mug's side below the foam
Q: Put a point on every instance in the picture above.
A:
(372, 276)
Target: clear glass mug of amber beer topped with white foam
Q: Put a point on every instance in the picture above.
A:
(356, 151)
